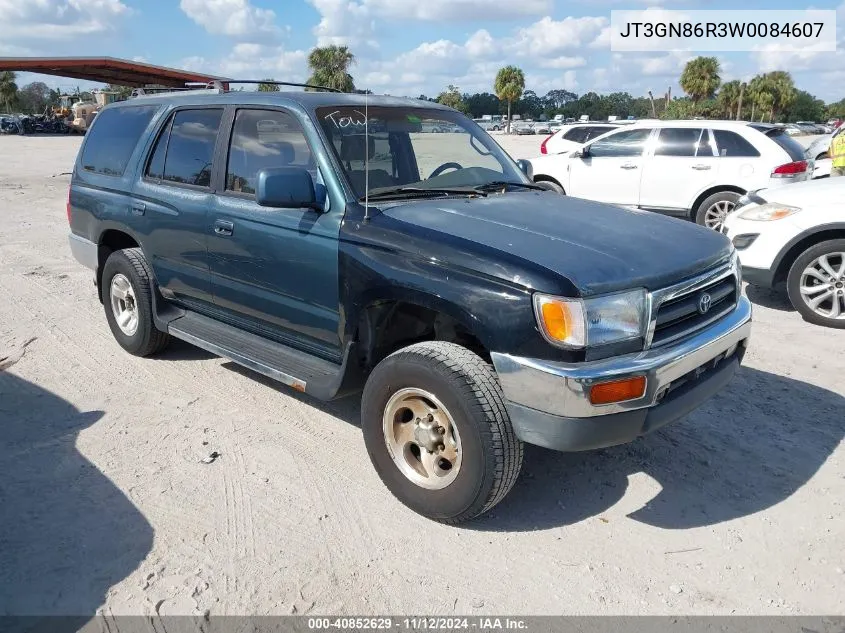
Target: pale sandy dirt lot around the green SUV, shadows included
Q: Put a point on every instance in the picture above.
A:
(737, 509)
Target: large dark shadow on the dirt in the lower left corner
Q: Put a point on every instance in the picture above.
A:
(68, 533)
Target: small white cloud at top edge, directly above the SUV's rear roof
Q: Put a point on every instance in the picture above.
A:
(235, 18)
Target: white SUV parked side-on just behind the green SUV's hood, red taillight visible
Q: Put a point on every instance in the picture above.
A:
(691, 169)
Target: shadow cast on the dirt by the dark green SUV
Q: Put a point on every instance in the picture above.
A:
(747, 449)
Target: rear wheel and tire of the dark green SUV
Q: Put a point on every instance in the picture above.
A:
(130, 267)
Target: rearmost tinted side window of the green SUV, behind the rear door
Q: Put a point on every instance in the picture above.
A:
(113, 138)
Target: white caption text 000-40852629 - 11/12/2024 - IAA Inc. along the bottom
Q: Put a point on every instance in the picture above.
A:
(417, 623)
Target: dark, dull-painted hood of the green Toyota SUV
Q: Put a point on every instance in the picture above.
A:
(599, 248)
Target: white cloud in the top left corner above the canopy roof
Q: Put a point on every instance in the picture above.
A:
(59, 19)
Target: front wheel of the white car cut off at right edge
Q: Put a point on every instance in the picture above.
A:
(834, 252)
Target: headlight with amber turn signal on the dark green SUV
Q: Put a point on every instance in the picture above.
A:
(579, 323)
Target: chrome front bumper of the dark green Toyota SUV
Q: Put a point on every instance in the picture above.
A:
(549, 403)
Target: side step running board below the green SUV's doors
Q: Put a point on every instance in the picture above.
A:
(294, 368)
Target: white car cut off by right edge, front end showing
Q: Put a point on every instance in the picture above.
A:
(795, 236)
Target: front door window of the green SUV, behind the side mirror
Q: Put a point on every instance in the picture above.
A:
(264, 139)
